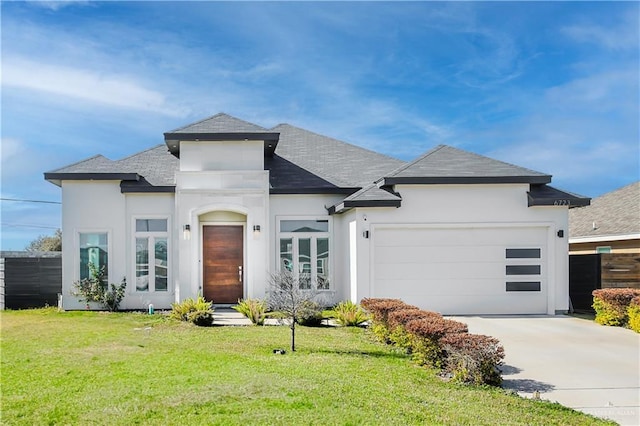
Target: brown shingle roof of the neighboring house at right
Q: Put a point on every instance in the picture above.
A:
(614, 213)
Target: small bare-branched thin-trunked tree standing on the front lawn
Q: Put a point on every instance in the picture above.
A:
(287, 297)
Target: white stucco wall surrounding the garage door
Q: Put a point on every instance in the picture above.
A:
(457, 205)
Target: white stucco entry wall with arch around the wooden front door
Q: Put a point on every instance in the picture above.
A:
(238, 192)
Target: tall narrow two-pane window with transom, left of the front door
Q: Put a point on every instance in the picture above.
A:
(152, 255)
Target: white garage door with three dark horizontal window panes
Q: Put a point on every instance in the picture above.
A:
(470, 270)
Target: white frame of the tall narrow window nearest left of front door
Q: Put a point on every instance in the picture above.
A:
(151, 235)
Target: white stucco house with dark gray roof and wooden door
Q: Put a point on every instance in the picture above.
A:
(226, 203)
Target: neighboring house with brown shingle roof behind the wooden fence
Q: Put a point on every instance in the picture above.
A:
(611, 224)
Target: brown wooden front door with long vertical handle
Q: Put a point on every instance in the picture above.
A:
(223, 269)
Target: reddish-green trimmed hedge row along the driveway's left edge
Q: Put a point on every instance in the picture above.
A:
(437, 342)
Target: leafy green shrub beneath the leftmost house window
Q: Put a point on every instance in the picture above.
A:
(96, 289)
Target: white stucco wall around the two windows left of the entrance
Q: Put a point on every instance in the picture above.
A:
(99, 206)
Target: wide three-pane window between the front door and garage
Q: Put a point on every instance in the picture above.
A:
(304, 251)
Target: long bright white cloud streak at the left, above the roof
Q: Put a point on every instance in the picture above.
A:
(84, 84)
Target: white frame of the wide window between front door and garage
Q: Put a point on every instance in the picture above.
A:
(313, 236)
